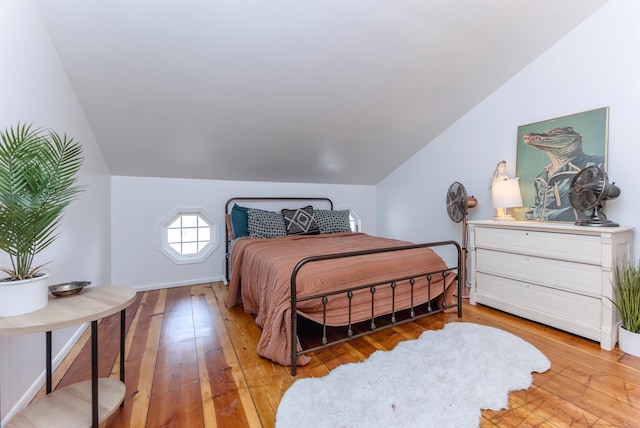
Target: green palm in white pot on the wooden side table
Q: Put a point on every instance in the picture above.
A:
(38, 175)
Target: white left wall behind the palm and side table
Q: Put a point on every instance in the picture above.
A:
(34, 89)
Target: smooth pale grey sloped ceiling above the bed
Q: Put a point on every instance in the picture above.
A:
(314, 91)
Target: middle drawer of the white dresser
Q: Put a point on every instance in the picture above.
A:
(569, 276)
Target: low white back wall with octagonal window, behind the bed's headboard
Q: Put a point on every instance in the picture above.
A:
(141, 205)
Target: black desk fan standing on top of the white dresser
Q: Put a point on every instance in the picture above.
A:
(588, 191)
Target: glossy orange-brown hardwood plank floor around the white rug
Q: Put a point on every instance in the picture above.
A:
(191, 362)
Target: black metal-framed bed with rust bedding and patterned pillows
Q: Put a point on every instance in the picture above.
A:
(318, 269)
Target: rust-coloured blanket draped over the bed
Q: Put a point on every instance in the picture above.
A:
(261, 280)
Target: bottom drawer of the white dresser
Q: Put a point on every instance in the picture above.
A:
(568, 311)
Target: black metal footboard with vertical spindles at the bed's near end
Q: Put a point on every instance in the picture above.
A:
(372, 287)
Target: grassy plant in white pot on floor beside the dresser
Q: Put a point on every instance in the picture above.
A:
(627, 301)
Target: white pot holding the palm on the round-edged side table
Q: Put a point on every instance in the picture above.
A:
(22, 297)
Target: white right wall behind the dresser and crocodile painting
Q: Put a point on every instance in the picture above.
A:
(596, 65)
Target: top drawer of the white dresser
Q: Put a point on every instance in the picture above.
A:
(578, 248)
